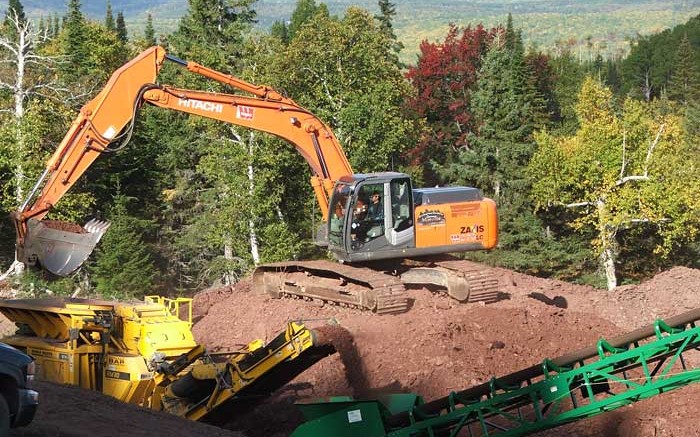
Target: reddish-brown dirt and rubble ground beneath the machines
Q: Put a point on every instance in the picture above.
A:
(438, 346)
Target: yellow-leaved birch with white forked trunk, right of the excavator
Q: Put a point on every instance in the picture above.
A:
(620, 171)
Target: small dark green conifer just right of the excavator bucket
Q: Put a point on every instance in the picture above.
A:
(123, 266)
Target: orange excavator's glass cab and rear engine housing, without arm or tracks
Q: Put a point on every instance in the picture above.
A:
(381, 216)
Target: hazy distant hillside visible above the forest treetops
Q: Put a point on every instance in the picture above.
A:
(587, 27)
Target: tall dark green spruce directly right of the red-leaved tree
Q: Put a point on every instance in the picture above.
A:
(507, 107)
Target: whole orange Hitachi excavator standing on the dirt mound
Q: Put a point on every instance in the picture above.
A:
(384, 232)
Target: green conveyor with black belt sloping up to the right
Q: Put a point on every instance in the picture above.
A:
(629, 368)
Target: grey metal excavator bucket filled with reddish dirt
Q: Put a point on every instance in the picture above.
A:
(61, 247)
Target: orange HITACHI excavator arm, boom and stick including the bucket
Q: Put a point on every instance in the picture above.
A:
(61, 247)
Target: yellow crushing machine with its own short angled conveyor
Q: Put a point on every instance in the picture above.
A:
(144, 353)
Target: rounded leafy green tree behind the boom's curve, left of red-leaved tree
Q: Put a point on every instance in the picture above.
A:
(343, 71)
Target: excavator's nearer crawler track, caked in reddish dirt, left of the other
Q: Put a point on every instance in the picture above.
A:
(331, 282)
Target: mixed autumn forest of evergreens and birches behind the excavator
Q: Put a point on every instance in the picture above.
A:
(591, 161)
